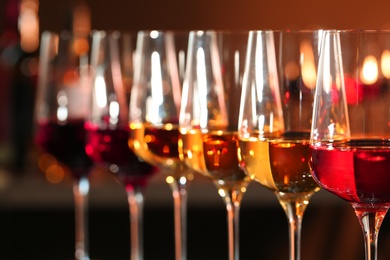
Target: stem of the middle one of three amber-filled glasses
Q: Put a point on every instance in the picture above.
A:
(232, 200)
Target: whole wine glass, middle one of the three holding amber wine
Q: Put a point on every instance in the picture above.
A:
(208, 117)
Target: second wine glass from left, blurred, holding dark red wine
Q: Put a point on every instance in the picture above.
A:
(107, 127)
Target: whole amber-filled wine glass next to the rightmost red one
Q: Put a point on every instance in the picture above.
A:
(275, 127)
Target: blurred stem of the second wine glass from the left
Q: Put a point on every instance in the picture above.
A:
(135, 199)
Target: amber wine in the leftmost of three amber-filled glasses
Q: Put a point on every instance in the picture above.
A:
(157, 145)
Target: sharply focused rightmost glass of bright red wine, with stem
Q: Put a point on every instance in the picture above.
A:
(349, 145)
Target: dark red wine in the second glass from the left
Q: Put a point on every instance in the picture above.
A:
(110, 147)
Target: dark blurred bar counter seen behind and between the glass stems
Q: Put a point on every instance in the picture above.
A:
(37, 222)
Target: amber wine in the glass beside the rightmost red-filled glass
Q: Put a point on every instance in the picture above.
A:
(280, 165)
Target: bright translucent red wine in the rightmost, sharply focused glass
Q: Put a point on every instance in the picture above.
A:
(357, 171)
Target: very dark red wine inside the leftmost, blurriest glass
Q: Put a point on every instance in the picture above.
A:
(66, 143)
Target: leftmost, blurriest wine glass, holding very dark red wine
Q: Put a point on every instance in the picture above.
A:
(62, 105)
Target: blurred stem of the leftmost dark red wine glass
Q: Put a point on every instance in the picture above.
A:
(80, 191)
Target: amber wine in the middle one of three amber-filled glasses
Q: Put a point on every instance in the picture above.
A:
(215, 155)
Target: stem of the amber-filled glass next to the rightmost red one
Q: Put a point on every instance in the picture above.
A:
(294, 205)
